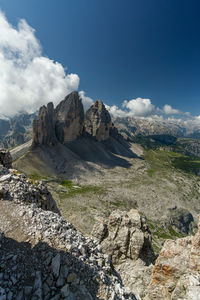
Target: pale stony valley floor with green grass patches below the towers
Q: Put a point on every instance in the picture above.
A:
(150, 182)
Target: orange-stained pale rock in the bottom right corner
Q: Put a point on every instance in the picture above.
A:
(176, 274)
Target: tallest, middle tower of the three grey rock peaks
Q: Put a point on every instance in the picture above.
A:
(69, 116)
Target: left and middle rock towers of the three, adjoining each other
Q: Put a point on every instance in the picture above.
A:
(63, 124)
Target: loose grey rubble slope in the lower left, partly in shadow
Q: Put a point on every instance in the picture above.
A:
(42, 256)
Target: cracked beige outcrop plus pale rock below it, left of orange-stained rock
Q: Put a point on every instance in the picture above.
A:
(126, 238)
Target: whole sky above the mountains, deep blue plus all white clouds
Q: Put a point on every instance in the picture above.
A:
(30, 79)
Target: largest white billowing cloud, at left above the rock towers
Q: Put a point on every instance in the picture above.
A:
(28, 79)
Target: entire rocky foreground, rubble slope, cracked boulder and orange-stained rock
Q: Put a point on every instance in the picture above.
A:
(42, 256)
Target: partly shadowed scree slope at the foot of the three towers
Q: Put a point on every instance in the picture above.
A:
(75, 159)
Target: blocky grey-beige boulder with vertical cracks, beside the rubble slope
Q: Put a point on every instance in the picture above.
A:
(125, 235)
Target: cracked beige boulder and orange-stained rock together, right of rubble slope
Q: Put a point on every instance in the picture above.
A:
(174, 274)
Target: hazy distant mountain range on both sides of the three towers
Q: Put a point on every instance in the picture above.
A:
(18, 129)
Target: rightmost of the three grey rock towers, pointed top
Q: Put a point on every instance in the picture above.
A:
(98, 121)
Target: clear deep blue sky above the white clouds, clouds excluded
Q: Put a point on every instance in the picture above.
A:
(121, 50)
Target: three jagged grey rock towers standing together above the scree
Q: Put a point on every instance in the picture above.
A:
(66, 123)
